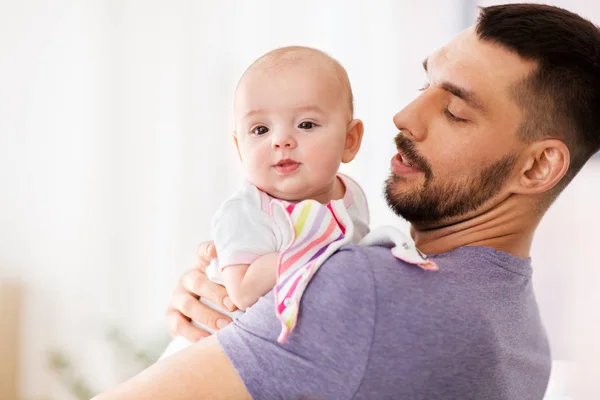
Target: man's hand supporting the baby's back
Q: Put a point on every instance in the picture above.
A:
(184, 305)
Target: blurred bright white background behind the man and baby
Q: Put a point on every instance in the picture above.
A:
(115, 151)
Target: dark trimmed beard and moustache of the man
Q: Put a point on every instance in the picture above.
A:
(436, 202)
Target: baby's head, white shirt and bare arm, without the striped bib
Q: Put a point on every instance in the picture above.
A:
(294, 126)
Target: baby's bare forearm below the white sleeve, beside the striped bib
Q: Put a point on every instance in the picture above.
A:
(245, 284)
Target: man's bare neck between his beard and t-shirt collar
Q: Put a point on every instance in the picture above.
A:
(507, 227)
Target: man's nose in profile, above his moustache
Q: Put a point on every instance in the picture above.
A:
(413, 120)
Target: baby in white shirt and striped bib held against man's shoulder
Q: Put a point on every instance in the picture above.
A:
(294, 126)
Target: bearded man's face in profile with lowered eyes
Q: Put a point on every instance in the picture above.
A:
(458, 144)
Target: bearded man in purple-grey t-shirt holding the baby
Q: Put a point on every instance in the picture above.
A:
(508, 117)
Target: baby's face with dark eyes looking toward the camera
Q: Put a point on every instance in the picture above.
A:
(291, 128)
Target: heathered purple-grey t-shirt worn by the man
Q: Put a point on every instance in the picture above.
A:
(374, 327)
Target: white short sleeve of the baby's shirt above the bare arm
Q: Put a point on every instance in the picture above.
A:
(242, 232)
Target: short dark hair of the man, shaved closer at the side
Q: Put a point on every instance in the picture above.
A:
(561, 97)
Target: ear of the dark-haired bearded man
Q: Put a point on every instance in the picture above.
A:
(546, 164)
